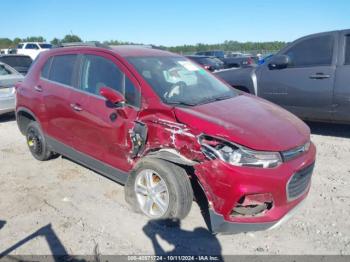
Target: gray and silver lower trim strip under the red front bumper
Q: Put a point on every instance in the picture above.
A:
(220, 225)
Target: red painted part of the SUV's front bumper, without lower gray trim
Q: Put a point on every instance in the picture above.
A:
(227, 184)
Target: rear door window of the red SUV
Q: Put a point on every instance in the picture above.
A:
(62, 68)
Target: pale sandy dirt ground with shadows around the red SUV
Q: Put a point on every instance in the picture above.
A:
(63, 207)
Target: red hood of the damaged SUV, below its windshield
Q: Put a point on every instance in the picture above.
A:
(250, 121)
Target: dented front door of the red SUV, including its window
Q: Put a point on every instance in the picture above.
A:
(100, 131)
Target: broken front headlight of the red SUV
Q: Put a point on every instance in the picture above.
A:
(238, 155)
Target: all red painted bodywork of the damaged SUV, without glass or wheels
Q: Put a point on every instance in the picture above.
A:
(245, 120)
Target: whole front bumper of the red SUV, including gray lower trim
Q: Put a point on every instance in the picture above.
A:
(225, 185)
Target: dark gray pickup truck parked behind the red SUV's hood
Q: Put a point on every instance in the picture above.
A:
(310, 77)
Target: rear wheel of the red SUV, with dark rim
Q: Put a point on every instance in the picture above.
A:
(37, 144)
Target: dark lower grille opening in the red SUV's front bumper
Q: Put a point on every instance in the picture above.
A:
(299, 182)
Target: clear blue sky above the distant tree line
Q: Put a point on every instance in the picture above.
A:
(173, 22)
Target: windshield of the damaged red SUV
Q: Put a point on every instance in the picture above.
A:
(177, 80)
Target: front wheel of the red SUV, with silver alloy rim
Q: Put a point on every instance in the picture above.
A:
(159, 189)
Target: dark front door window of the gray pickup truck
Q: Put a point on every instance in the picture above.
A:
(315, 51)
